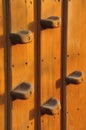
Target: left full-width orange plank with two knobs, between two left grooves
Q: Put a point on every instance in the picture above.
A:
(22, 64)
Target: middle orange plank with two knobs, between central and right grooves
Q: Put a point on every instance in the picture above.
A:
(50, 62)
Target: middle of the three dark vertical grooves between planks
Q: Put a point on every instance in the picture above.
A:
(37, 61)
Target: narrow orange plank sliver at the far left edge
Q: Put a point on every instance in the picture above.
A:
(2, 69)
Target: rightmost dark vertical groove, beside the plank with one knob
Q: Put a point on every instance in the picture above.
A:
(63, 62)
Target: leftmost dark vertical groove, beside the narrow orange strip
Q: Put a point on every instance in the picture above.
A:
(7, 56)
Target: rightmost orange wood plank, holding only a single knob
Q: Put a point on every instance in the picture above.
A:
(76, 60)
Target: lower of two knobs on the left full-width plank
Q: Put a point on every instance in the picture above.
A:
(22, 91)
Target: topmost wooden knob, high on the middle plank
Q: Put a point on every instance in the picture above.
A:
(50, 22)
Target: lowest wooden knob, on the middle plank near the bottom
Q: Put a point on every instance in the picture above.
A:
(51, 107)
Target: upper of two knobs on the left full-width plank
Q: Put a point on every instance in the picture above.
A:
(24, 36)
